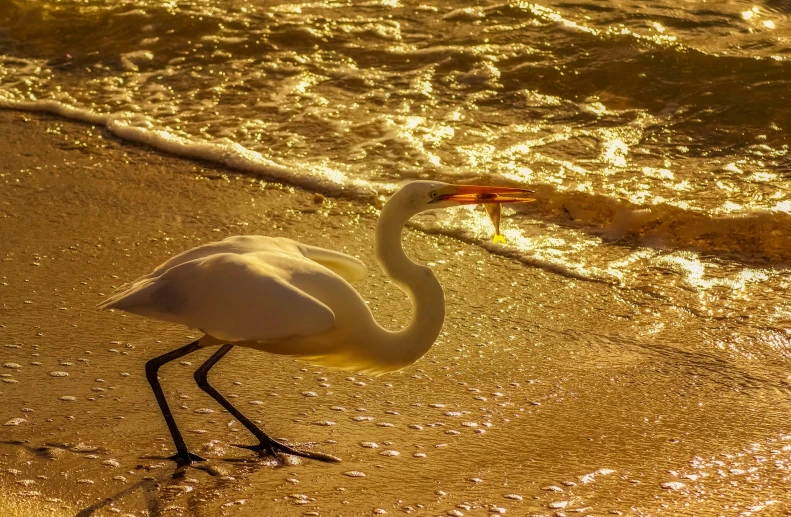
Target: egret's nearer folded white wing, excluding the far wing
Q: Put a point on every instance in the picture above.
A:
(233, 297)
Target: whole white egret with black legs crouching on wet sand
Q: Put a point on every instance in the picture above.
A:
(284, 297)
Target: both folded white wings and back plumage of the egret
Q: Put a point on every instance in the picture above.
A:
(244, 289)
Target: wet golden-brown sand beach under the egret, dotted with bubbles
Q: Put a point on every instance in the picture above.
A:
(544, 395)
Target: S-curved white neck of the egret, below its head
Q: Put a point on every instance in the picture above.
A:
(417, 281)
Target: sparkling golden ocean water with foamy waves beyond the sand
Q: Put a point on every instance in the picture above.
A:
(655, 133)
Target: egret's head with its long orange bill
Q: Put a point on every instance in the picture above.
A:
(417, 196)
